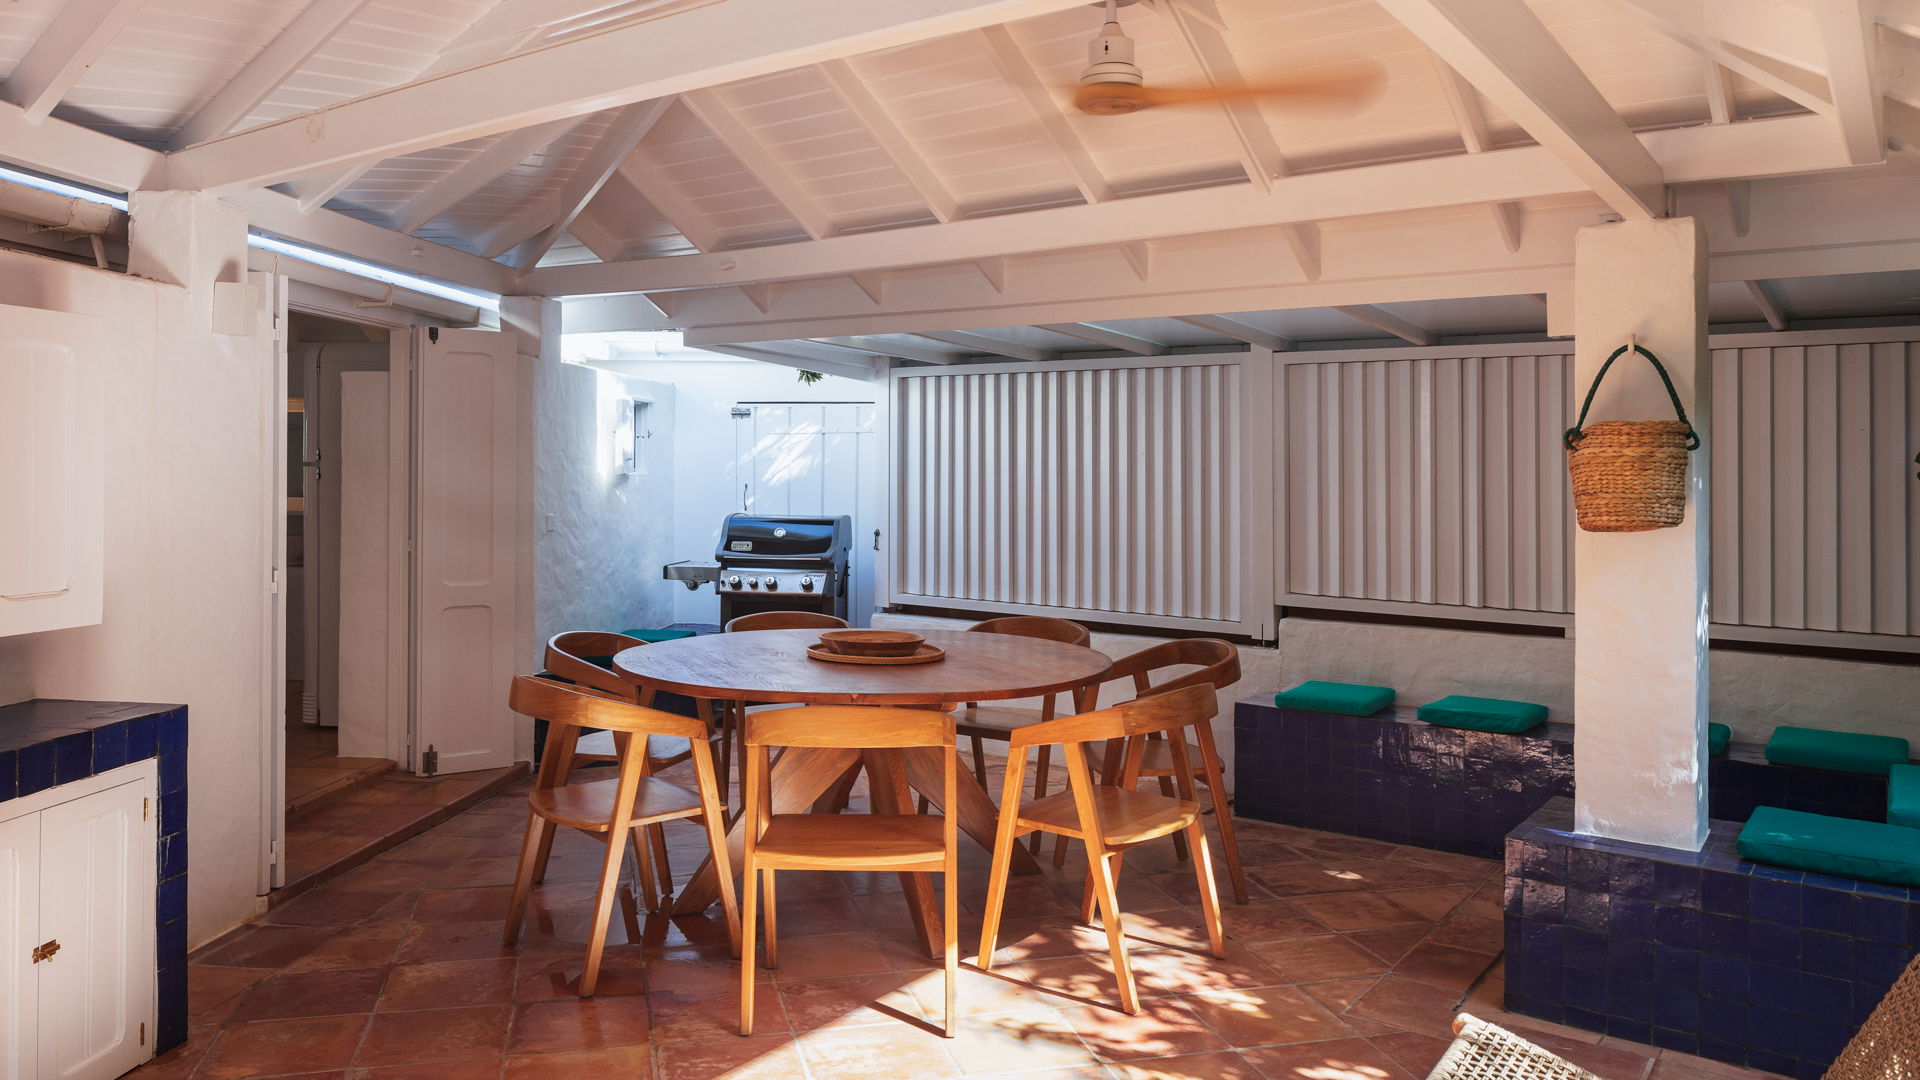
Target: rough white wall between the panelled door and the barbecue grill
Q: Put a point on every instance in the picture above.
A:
(600, 537)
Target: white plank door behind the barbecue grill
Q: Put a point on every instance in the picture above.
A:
(817, 460)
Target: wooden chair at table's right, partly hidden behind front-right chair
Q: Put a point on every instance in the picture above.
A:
(1220, 668)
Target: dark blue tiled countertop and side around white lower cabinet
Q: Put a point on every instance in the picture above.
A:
(49, 743)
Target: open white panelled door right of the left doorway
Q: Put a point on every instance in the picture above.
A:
(466, 408)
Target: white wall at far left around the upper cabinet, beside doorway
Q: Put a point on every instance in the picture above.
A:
(185, 549)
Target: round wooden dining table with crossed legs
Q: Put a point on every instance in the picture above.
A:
(775, 668)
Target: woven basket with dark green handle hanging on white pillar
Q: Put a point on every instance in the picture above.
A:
(1629, 476)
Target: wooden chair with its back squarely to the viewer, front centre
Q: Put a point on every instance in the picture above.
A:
(882, 841)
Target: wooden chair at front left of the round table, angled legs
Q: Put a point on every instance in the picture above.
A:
(617, 810)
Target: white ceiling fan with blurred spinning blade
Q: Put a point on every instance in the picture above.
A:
(1115, 86)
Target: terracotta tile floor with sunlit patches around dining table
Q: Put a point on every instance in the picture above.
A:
(1347, 966)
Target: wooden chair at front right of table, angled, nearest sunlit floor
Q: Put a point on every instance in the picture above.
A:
(1109, 820)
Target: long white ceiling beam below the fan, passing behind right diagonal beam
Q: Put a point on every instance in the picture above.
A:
(1710, 153)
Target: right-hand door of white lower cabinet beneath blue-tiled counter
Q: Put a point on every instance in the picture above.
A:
(97, 900)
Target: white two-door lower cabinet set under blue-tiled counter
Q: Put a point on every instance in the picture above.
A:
(78, 929)
